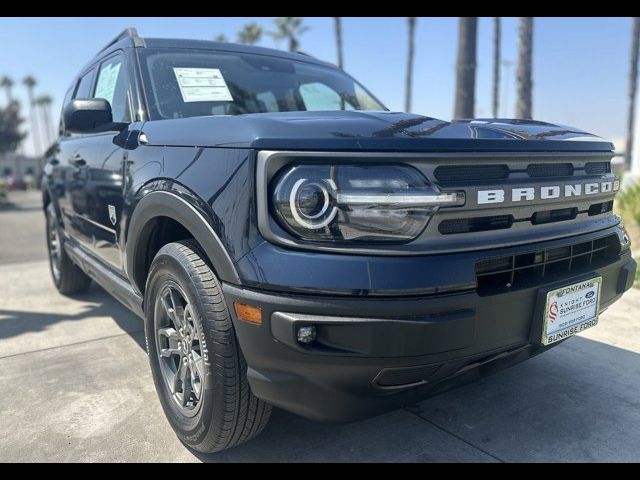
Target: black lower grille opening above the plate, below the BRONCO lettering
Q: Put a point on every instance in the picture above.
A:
(514, 272)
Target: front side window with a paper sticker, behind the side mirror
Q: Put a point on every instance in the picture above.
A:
(113, 85)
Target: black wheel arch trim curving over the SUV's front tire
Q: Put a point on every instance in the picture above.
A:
(168, 204)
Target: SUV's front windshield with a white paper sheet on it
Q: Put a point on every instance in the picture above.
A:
(190, 83)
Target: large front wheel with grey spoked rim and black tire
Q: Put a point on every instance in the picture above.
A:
(226, 413)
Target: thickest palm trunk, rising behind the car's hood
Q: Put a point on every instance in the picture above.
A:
(466, 67)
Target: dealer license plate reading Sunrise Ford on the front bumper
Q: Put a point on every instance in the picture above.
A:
(571, 309)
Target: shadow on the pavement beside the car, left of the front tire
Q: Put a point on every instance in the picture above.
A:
(98, 304)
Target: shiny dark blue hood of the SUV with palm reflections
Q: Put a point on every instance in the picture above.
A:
(368, 131)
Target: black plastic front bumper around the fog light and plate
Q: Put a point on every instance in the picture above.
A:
(377, 353)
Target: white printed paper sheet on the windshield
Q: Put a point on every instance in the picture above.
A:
(202, 85)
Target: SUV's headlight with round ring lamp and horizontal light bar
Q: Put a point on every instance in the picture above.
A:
(335, 203)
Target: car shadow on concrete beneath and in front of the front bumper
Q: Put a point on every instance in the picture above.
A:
(576, 402)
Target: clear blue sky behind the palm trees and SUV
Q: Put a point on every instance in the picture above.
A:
(580, 65)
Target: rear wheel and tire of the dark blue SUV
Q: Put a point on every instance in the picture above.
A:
(68, 278)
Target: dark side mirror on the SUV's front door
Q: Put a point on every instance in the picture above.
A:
(89, 115)
